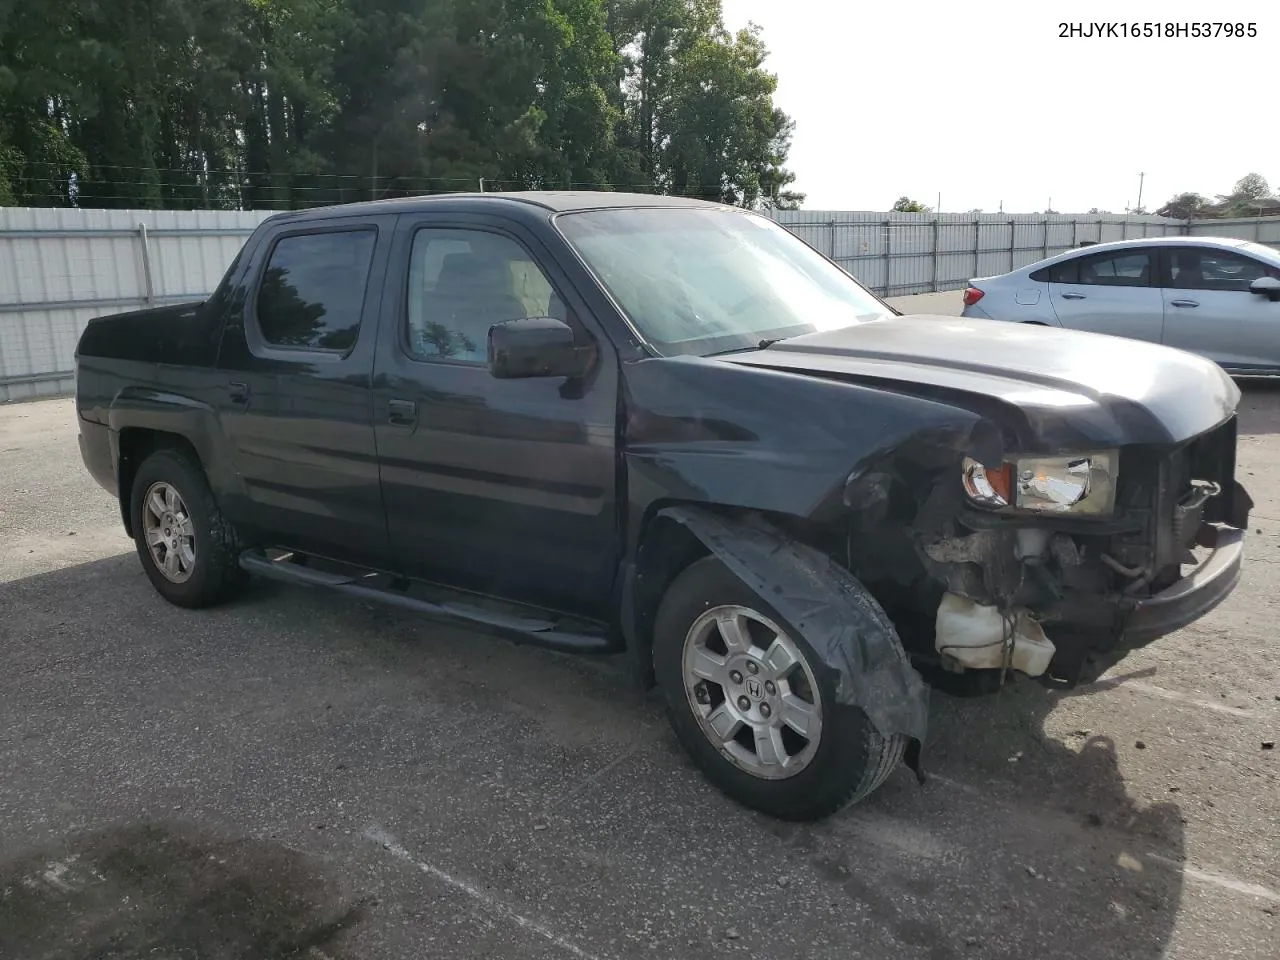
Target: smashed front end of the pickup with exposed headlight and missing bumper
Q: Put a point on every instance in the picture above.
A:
(1057, 566)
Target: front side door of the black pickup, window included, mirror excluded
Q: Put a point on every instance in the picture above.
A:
(505, 487)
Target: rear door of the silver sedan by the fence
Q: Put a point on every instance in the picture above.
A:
(1113, 292)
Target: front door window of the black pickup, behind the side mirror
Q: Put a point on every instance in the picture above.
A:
(464, 282)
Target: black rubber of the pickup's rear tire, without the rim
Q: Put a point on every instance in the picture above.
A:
(208, 579)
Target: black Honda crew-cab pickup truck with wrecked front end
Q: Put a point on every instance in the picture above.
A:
(628, 424)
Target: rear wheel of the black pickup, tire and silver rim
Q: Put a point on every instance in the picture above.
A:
(208, 550)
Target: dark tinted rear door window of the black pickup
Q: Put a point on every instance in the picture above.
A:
(314, 290)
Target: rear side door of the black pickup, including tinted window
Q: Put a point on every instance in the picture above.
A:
(296, 368)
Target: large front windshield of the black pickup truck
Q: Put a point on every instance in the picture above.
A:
(712, 281)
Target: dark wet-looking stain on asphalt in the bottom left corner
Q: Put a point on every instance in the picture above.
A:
(170, 892)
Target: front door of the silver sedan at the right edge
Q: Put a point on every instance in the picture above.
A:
(1210, 310)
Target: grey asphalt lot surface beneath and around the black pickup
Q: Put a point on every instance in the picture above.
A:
(295, 775)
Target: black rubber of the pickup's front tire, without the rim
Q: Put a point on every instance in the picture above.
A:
(848, 739)
